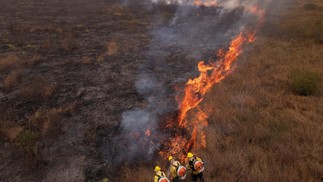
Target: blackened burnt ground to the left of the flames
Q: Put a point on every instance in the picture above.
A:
(89, 56)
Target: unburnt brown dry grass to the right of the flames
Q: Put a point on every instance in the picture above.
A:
(259, 129)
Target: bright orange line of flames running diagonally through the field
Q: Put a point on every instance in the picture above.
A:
(189, 133)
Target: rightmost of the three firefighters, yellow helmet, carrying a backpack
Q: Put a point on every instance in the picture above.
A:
(196, 165)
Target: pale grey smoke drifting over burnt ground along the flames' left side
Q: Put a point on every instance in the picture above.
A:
(182, 34)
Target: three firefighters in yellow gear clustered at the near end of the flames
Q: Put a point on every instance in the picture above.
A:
(178, 172)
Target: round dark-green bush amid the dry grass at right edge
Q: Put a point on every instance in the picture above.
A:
(304, 82)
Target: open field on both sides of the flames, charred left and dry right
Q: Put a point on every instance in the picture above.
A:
(69, 71)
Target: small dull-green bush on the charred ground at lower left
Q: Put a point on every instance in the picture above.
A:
(27, 140)
